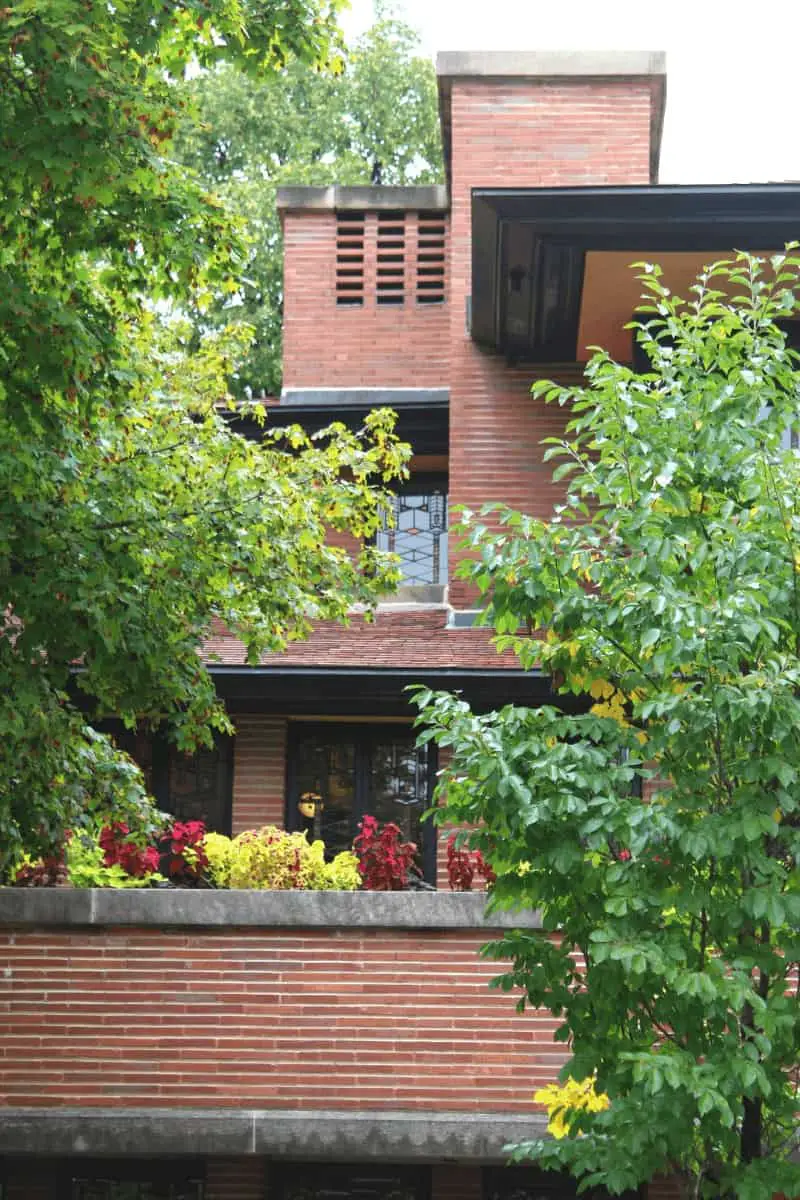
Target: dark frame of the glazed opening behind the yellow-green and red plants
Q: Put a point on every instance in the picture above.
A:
(363, 735)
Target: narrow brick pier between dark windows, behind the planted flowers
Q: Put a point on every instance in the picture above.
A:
(260, 772)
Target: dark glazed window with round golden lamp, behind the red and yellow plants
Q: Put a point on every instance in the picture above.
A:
(359, 770)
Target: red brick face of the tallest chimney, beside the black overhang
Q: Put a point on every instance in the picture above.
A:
(522, 134)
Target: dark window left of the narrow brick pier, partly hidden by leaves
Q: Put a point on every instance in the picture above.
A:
(191, 788)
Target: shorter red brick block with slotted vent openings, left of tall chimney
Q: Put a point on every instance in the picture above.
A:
(371, 346)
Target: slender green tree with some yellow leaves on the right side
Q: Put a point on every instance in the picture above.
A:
(666, 593)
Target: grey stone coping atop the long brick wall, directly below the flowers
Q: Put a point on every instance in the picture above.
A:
(177, 908)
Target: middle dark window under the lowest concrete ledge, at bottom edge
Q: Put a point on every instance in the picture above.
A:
(340, 1181)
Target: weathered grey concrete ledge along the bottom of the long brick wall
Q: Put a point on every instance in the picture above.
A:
(310, 1135)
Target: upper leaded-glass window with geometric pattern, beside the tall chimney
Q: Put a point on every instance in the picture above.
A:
(417, 531)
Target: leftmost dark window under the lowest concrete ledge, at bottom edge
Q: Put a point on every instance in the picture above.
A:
(152, 1180)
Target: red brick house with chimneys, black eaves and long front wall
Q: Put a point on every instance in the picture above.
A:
(240, 1046)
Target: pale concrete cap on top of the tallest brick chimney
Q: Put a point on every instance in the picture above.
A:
(551, 64)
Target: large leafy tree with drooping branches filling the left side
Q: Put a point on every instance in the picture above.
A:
(134, 513)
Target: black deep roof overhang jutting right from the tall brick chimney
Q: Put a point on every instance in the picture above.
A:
(531, 248)
